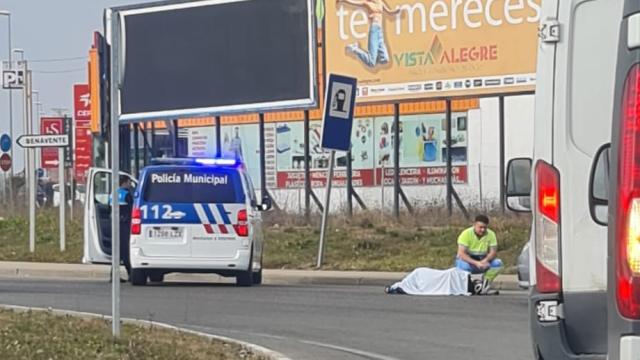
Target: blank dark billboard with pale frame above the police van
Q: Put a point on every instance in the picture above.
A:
(216, 57)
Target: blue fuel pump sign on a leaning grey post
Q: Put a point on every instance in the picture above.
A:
(337, 121)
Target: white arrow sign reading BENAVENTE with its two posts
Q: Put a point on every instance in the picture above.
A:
(48, 141)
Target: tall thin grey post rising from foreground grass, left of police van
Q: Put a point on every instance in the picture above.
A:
(115, 172)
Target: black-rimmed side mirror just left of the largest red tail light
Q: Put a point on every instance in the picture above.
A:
(599, 186)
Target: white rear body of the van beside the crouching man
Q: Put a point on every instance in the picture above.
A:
(577, 120)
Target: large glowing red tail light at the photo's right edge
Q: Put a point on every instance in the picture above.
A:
(628, 209)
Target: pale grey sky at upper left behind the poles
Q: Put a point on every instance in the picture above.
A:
(50, 30)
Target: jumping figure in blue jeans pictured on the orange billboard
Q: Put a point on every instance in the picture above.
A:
(377, 52)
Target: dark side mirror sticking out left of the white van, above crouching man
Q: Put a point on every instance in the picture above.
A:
(518, 184)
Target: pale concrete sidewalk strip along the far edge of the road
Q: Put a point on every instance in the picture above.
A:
(35, 270)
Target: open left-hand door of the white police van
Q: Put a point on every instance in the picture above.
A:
(97, 217)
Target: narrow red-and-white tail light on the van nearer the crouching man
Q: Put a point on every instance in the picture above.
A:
(547, 250)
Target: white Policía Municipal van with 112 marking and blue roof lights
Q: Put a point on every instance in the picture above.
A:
(189, 216)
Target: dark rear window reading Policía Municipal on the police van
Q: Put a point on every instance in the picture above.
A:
(193, 185)
